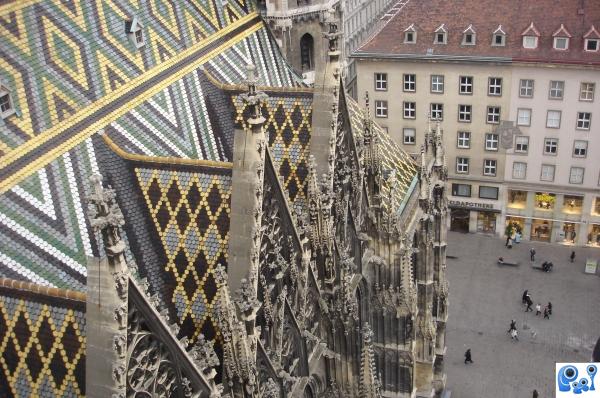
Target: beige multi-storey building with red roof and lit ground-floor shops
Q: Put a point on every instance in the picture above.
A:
(516, 91)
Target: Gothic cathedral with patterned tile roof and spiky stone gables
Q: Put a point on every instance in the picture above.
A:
(182, 216)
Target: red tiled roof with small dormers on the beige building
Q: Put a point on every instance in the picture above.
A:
(515, 16)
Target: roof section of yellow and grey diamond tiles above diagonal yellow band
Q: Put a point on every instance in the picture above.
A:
(70, 54)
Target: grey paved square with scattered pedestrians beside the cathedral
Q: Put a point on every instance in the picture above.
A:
(484, 297)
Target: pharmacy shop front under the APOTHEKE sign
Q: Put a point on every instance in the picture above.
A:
(473, 216)
